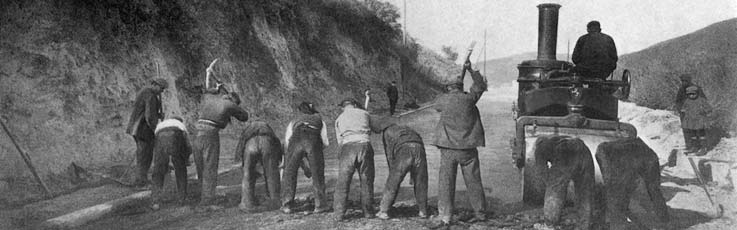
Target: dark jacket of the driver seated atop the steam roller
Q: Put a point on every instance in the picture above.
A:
(596, 52)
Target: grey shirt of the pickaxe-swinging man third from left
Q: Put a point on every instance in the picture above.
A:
(219, 110)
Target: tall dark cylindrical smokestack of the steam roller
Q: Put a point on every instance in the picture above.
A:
(547, 30)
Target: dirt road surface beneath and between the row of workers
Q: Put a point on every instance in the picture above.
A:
(500, 179)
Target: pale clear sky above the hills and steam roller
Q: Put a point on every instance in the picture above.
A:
(511, 25)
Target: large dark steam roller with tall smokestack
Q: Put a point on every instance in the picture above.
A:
(555, 100)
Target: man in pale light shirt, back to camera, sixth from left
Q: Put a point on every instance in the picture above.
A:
(352, 131)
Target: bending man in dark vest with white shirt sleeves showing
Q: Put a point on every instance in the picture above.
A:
(306, 136)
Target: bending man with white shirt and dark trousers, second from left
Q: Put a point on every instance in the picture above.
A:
(171, 145)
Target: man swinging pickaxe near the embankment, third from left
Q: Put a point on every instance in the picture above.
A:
(215, 114)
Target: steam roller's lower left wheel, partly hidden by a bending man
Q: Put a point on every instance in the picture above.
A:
(533, 185)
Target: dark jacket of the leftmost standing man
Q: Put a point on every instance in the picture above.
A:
(146, 114)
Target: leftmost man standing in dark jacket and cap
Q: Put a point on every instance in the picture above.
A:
(143, 120)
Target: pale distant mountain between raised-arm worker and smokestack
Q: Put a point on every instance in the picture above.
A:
(504, 70)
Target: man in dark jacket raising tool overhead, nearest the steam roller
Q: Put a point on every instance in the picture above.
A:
(458, 133)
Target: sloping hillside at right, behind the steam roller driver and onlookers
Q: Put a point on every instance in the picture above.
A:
(709, 55)
